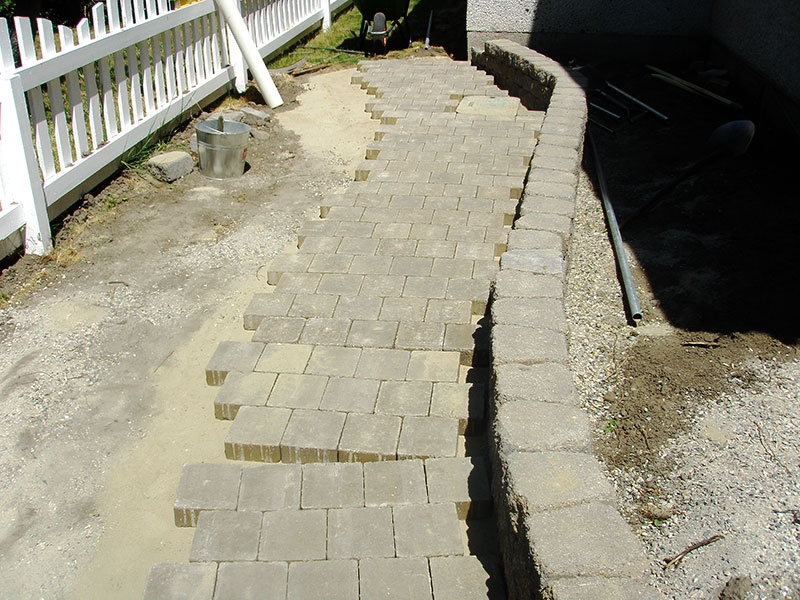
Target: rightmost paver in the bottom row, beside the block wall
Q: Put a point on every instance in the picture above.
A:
(466, 578)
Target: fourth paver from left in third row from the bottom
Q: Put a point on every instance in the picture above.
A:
(394, 482)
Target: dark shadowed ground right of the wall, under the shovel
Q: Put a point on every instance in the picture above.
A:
(719, 254)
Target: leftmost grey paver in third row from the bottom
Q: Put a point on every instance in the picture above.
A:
(204, 486)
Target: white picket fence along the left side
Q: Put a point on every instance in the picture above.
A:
(72, 104)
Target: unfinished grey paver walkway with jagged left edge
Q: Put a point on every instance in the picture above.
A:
(364, 384)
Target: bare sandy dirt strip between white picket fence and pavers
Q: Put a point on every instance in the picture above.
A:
(105, 342)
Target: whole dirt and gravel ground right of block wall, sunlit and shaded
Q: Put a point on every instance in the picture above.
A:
(695, 410)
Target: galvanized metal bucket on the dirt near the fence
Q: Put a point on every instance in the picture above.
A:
(222, 152)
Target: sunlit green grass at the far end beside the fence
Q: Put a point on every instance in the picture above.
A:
(342, 34)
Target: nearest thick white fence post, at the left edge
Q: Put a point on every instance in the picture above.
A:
(20, 170)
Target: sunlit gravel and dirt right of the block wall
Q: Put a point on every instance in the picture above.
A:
(729, 462)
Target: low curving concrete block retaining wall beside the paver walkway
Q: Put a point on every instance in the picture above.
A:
(561, 535)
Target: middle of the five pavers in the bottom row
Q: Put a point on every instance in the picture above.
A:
(330, 579)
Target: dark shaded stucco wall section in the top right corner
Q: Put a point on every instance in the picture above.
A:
(765, 35)
